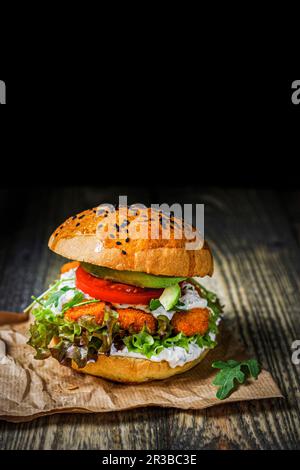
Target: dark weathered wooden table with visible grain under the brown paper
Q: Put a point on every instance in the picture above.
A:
(255, 239)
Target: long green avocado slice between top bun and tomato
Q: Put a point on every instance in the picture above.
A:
(132, 277)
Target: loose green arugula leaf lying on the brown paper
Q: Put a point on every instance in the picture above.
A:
(232, 372)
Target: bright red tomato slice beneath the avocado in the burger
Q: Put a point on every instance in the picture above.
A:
(114, 292)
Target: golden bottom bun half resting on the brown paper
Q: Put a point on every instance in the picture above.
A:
(132, 370)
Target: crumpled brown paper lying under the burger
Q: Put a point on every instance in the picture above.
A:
(30, 388)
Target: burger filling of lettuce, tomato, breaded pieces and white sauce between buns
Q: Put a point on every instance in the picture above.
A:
(82, 316)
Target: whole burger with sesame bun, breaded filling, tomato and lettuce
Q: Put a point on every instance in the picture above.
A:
(128, 306)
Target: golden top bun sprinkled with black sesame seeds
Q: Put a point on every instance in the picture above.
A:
(120, 240)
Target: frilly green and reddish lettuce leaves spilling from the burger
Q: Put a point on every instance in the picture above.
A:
(82, 340)
